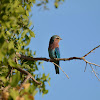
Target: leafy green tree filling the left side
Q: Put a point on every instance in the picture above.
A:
(18, 79)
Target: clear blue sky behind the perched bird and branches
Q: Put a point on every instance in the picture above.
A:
(77, 22)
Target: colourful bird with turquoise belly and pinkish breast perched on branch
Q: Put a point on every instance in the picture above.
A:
(53, 50)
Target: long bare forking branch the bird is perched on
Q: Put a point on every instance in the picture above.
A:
(61, 59)
